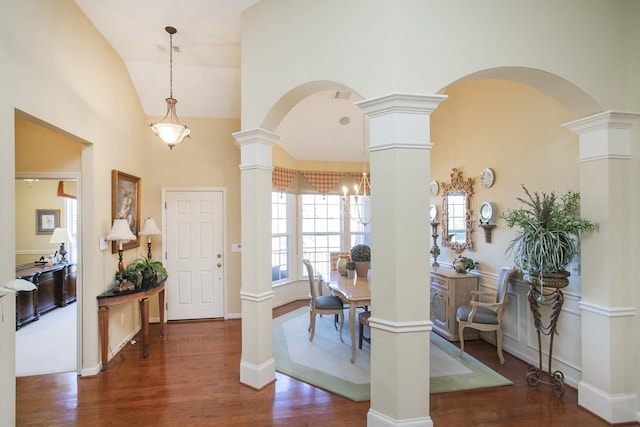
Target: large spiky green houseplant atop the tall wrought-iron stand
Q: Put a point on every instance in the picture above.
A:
(548, 237)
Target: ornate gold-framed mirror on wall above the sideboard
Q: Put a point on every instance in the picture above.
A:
(456, 213)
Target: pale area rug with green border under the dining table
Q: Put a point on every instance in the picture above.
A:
(325, 361)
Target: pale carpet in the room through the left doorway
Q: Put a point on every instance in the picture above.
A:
(48, 345)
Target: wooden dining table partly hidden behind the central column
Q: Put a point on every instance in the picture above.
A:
(357, 293)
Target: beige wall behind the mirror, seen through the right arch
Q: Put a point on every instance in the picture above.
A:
(516, 131)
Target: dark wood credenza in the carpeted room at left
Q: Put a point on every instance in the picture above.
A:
(55, 287)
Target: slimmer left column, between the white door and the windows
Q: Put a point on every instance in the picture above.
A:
(257, 367)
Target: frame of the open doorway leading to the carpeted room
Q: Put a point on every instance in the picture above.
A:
(69, 176)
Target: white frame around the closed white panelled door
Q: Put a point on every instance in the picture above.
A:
(223, 190)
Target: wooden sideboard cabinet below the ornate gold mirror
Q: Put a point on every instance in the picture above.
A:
(449, 290)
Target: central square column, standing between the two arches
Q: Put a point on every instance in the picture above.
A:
(400, 150)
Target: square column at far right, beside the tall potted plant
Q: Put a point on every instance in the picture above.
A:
(607, 306)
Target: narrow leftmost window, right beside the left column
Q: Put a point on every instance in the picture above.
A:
(280, 236)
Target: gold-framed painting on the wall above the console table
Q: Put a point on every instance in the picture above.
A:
(125, 203)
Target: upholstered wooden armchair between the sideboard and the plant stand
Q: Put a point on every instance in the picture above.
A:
(486, 316)
